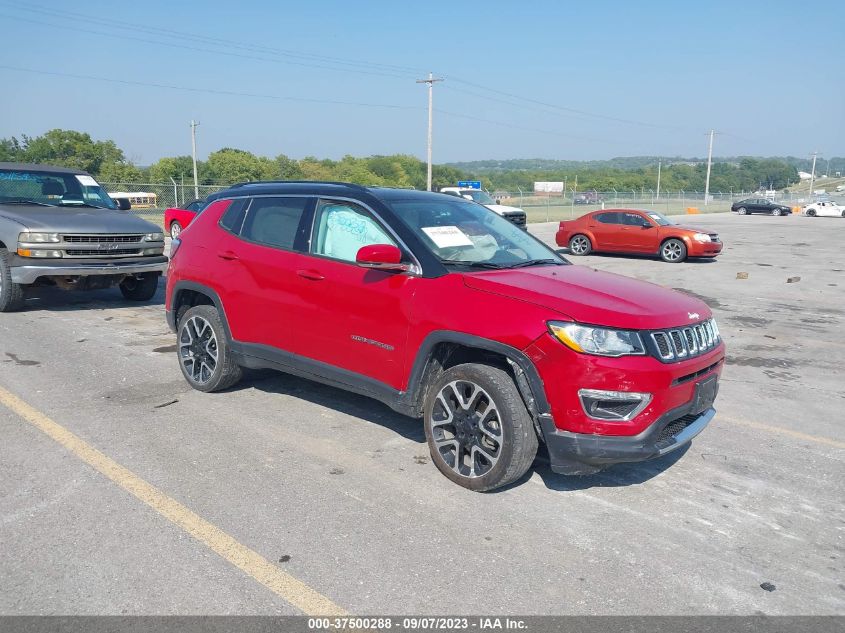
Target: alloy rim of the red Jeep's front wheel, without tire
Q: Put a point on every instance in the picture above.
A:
(466, 428)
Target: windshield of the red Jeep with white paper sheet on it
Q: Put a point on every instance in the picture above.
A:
(461, 233)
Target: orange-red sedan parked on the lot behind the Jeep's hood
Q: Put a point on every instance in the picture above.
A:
(636, 232)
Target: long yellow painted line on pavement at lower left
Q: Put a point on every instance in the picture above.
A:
(290, 589)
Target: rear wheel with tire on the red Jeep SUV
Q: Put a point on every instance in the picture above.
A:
(203, 351)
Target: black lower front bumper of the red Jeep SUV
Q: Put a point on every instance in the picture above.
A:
(583, 454)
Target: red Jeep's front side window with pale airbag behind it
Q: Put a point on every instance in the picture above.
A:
(341, 228)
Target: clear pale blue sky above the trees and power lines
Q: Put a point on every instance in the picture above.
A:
(543, 79)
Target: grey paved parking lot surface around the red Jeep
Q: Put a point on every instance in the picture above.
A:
(337, 491)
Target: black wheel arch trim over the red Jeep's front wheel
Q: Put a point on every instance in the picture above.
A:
(443, 349)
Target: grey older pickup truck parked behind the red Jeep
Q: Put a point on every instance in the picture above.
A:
(59, 227)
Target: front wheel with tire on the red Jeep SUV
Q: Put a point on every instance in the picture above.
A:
(479, 432)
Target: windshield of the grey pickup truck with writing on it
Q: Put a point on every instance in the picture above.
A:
(52, 188)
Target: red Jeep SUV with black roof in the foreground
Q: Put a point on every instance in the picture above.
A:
(444, 310)
